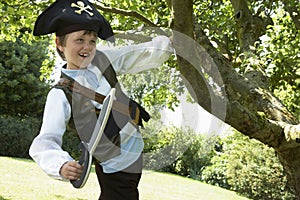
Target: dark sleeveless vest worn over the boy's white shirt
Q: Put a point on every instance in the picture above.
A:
(84, 113)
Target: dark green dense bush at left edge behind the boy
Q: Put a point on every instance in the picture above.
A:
(21, 90)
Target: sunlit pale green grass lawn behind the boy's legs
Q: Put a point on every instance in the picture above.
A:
(23, 180)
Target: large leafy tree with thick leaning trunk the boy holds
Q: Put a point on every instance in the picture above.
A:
(248, 63)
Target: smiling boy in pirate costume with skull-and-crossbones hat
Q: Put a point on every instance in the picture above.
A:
(77, 25)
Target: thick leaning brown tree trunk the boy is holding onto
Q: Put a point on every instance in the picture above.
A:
(244, 102)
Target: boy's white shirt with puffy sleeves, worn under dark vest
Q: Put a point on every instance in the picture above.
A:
(46, 148)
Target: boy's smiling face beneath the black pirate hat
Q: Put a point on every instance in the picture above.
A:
(79, 49)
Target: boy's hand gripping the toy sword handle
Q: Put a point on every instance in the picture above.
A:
(71, 170)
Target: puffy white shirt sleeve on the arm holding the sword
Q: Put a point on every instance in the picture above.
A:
(46, 147)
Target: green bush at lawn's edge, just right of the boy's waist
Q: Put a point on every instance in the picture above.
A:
(175, 150)
